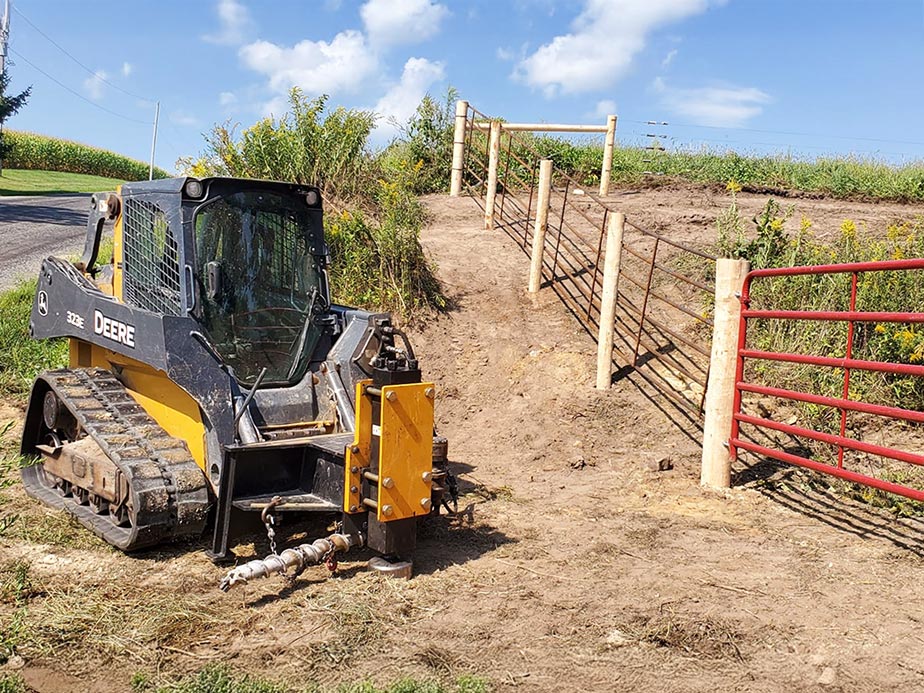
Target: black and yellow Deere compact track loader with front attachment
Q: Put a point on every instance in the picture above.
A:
(211, 380)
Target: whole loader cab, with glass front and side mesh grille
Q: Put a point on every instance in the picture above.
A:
(244, 258)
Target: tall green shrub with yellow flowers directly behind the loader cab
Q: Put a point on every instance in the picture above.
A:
(373, 220)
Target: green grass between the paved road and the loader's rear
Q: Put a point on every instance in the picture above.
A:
(21, 357)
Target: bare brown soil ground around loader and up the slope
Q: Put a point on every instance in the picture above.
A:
(573, 564)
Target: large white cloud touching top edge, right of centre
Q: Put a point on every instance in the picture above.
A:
(604, 39)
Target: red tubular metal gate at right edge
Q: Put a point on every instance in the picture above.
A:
(846, 402)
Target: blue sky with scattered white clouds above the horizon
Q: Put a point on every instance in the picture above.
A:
(809, 77)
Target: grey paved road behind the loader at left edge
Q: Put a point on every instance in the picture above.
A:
(32, 228)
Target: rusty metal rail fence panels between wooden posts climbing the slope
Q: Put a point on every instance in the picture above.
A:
(664, 294)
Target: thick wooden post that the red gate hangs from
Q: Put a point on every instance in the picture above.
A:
(720, 389)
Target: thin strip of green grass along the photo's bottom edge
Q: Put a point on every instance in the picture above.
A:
(219, 678)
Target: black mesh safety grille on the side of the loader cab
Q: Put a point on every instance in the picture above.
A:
(151, 262)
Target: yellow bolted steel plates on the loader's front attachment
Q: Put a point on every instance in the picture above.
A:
(405, 451)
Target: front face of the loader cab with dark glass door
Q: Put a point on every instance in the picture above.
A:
(259, 278)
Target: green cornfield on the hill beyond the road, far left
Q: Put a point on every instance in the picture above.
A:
(29, 150)
